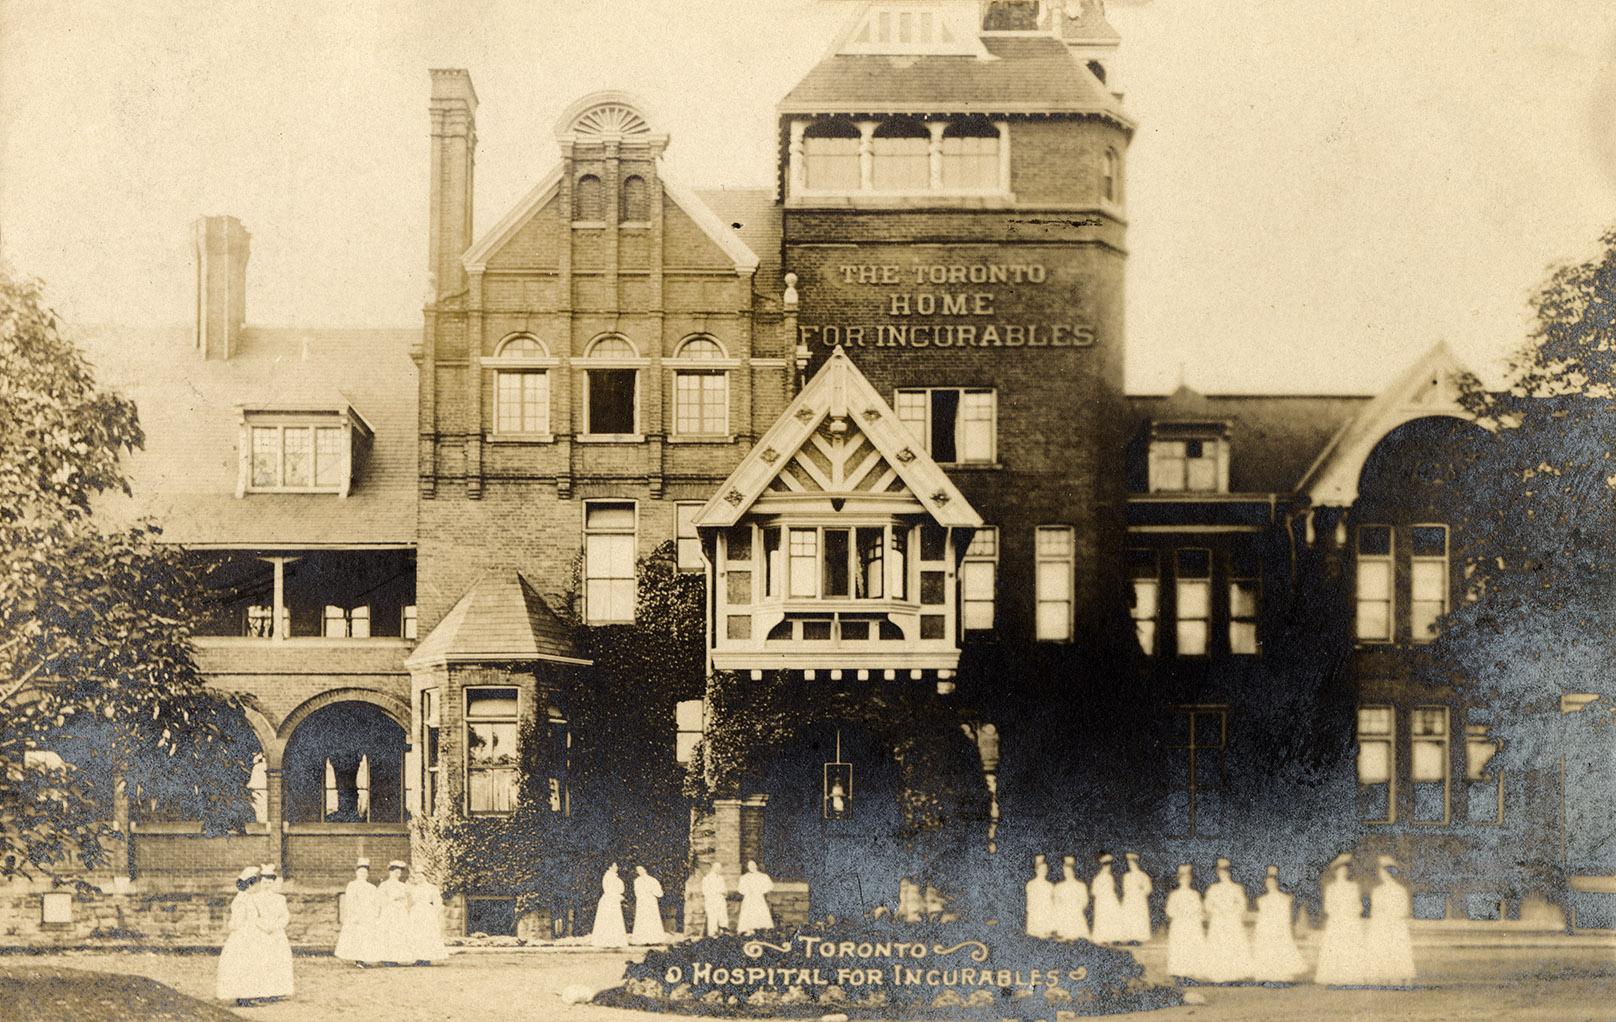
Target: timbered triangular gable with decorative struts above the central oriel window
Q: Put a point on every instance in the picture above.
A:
(840, 441)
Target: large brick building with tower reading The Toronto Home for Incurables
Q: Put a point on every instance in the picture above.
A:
(880, 407)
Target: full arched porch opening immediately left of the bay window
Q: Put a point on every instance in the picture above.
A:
(345, 764)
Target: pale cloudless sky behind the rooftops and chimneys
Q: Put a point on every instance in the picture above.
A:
(1318, 192)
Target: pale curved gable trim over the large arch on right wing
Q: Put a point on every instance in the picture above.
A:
(1428, 389)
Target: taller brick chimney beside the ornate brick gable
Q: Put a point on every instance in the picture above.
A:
(453, 161)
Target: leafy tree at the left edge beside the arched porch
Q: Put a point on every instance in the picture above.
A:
(99, 693)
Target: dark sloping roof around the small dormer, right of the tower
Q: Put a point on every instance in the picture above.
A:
(1274, 439)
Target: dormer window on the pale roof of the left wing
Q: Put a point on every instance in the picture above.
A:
(300, 452)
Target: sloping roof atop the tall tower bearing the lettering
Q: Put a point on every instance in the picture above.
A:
(1033, 75)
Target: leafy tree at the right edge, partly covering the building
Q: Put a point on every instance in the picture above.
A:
(1541, 625)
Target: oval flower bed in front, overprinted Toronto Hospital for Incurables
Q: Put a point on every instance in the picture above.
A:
(924, 971)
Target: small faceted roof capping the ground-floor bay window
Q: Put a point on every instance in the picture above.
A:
(500, 619)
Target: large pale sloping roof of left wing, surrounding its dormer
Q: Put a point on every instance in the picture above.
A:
(190, 410)
